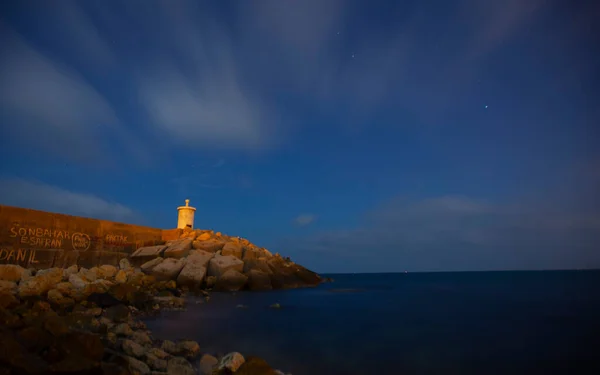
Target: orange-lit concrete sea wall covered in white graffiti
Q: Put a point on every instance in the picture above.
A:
(38, 239)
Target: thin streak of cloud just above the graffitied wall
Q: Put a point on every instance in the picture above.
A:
(41, 196)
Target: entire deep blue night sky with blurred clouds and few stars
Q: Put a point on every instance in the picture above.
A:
(351, 135)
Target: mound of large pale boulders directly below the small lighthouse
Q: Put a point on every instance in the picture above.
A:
(204, 259)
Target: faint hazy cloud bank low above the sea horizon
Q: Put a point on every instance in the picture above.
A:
(459, 233)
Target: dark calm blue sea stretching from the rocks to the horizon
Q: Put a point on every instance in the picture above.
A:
(416, 323)
